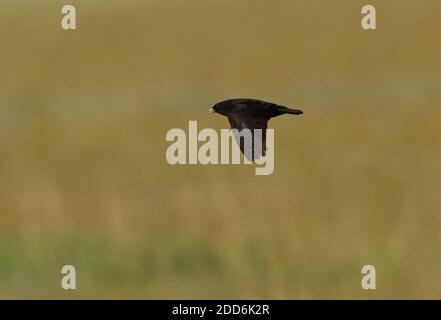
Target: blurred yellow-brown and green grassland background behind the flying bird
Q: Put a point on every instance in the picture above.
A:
(83, 176)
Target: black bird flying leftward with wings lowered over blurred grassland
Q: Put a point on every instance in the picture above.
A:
(251, 114)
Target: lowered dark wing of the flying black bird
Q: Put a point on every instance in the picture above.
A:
(241, 120)
